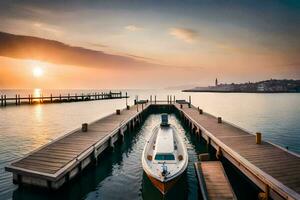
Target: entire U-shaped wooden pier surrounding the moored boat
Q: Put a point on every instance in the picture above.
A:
(274, 170)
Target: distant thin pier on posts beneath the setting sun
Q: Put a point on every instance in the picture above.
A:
(31, 99)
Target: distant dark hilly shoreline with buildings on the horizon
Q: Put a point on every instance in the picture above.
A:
(267, 86)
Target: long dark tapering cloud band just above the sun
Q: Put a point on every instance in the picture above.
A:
(26, 47)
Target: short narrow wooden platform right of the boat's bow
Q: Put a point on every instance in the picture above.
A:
(213, 181)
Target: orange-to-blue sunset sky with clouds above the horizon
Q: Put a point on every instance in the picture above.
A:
(147, 44)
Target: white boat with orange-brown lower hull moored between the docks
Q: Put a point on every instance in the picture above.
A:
(165, 156)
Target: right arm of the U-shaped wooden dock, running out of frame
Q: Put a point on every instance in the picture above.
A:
(274, 169)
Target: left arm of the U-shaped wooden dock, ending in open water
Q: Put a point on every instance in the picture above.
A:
(56, 163)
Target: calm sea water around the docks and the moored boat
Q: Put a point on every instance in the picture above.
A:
(24, 128)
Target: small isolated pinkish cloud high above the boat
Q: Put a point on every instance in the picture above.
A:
(185, 34)
